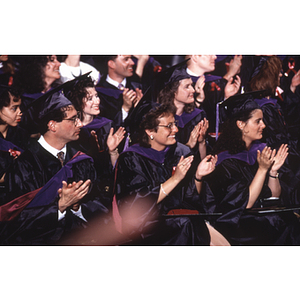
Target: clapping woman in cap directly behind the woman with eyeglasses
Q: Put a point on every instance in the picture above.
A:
(192, 122)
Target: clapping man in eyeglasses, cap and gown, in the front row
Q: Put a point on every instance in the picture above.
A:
(47, 221)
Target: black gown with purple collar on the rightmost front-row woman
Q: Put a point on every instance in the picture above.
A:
(227, 192)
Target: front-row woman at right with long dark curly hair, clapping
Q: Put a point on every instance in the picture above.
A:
(245, 176)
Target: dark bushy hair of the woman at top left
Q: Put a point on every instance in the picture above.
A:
(31, 76)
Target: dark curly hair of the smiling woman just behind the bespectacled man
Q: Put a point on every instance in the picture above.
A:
(79, 92)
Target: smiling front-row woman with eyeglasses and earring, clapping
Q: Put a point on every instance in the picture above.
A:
(155, 177)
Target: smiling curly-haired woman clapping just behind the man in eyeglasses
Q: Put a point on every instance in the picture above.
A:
(97, 137)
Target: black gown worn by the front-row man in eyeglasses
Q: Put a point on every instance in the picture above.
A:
(39, 225)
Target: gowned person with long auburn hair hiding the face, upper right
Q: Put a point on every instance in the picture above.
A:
(267, 76)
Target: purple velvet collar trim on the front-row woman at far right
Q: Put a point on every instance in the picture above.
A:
(246, 156)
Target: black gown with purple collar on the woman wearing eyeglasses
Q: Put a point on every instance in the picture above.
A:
(140, 171)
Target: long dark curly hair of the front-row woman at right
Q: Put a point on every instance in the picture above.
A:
(231, 137)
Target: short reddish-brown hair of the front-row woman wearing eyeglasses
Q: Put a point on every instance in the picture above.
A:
(151, 120)
